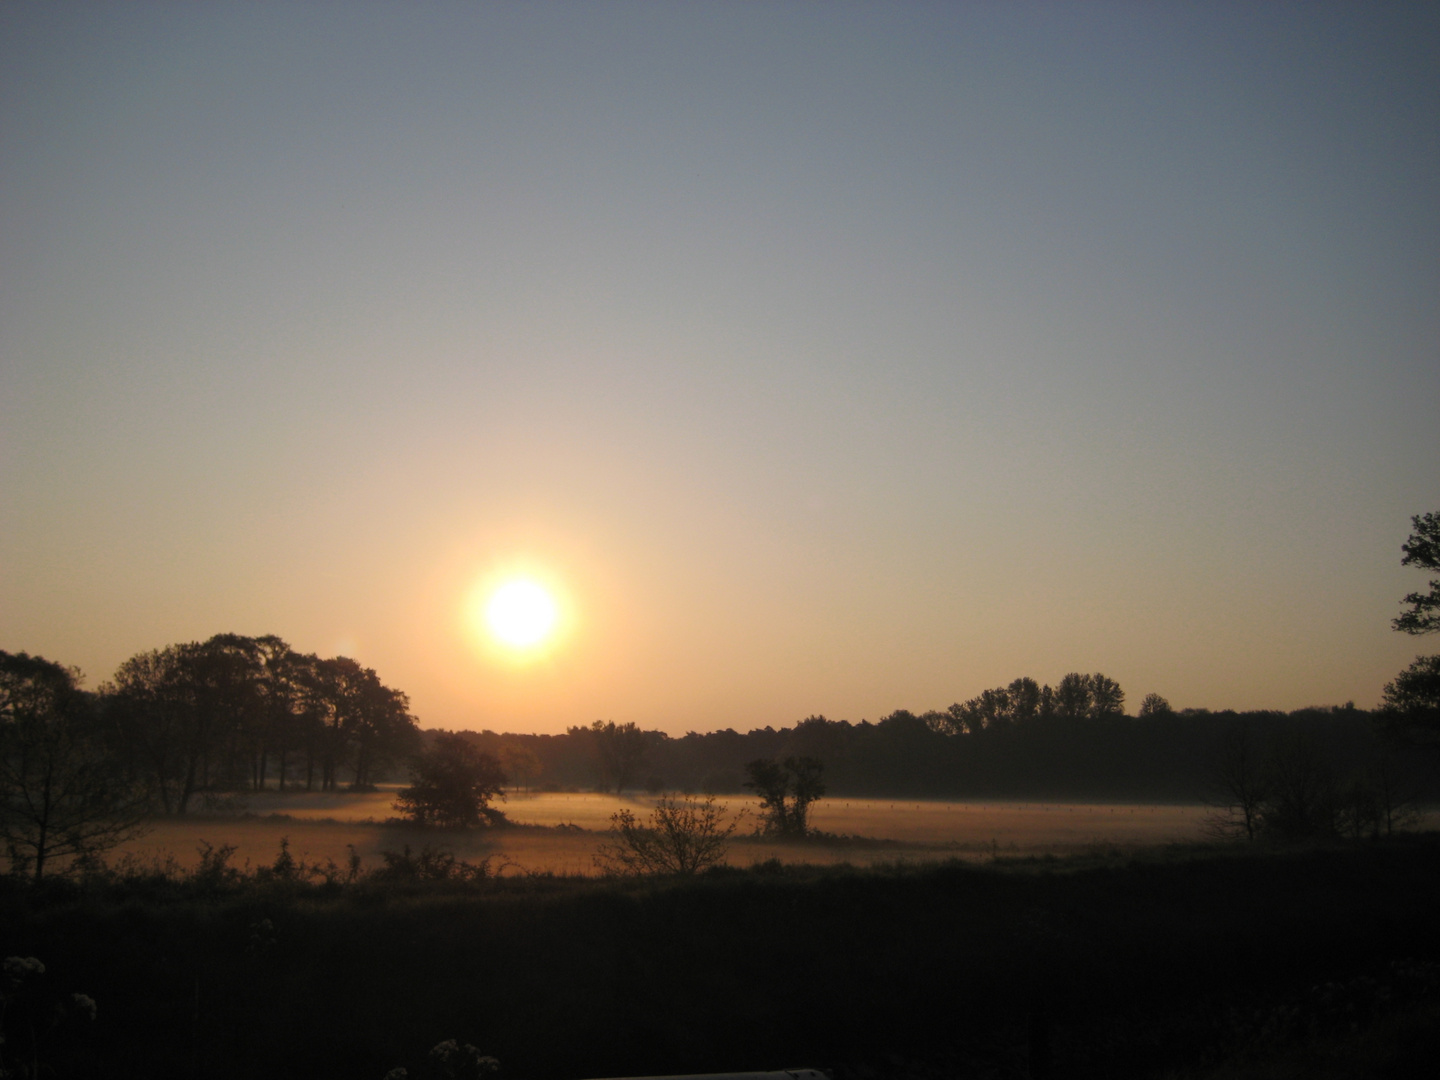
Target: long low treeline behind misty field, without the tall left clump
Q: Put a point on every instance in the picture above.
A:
(1169, 757)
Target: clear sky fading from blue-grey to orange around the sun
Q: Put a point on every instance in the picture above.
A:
(816, 358)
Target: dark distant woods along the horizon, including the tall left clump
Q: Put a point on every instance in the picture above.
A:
(233, 715)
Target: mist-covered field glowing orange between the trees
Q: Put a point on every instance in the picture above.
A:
(565, 830)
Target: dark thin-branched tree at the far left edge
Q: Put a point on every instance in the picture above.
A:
(61, 793)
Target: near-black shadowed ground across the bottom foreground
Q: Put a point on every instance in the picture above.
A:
(1189, 964)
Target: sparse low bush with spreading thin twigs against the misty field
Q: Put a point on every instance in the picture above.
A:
(682, 837)
